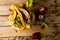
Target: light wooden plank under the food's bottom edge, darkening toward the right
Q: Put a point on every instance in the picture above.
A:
(9, 31)
